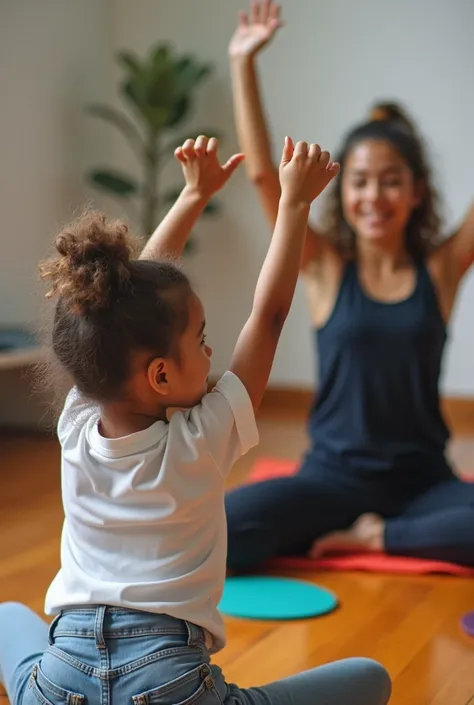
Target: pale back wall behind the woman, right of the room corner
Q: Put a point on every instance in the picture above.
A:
(333, 59)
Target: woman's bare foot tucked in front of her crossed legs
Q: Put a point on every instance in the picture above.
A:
(365, 535)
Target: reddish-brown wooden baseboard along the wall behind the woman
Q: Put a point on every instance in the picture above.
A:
(297, 401)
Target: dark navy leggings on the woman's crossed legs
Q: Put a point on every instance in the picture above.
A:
(283, 517)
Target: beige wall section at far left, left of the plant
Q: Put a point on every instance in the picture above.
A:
(54, 58)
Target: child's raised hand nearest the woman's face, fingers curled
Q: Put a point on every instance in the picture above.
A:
(305, 171)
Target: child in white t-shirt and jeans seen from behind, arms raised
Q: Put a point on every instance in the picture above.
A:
(143, 553)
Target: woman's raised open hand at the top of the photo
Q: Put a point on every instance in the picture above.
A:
(255, 29)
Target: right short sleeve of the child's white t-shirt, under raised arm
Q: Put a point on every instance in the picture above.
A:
(225, 419)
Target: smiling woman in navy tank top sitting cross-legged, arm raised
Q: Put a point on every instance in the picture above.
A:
(381, 289)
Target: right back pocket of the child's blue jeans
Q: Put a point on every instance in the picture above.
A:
(192, 688)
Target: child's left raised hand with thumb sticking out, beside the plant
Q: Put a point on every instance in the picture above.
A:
(202, 170)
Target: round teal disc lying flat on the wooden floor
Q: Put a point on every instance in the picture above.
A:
(267, 597)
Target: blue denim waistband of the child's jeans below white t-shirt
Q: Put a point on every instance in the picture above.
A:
(103, 622)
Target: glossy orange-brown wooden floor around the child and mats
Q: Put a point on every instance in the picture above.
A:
(411, 625)
